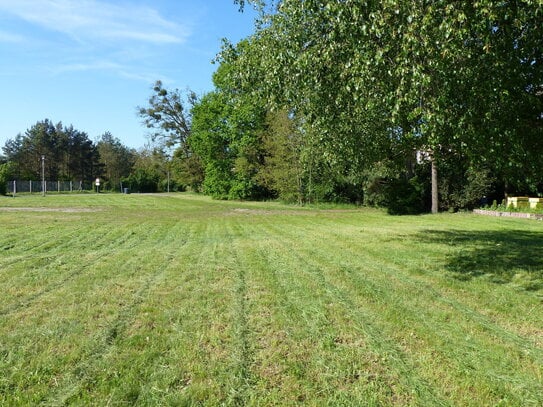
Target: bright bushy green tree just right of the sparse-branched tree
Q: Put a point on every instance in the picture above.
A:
(226, 136)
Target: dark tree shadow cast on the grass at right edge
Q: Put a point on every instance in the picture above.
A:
(503, 256)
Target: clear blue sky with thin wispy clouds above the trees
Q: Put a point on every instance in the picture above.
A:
(90, 63)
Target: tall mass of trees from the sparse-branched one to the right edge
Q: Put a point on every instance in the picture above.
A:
(413, 105)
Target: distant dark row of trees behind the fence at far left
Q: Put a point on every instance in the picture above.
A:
(63, 153)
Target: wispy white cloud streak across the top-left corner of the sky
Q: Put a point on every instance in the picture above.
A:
(90, 20)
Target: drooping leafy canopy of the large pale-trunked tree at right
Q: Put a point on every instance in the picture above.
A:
(457, 76)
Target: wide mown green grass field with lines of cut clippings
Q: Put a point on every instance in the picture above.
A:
(128, 300)
